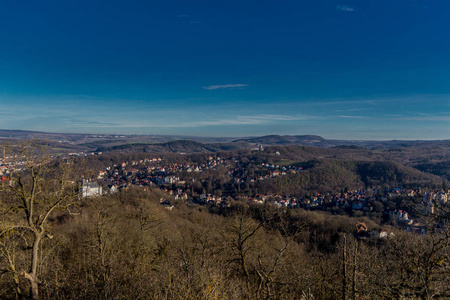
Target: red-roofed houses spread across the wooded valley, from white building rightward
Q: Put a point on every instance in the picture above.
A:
(170, 178)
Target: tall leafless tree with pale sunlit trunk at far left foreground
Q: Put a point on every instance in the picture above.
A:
(37, 187)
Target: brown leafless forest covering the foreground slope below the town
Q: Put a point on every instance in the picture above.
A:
(128, 246)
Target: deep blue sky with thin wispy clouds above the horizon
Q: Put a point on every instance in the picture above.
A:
(359, 69)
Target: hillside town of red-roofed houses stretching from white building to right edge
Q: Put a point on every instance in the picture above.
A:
(191, 182)
